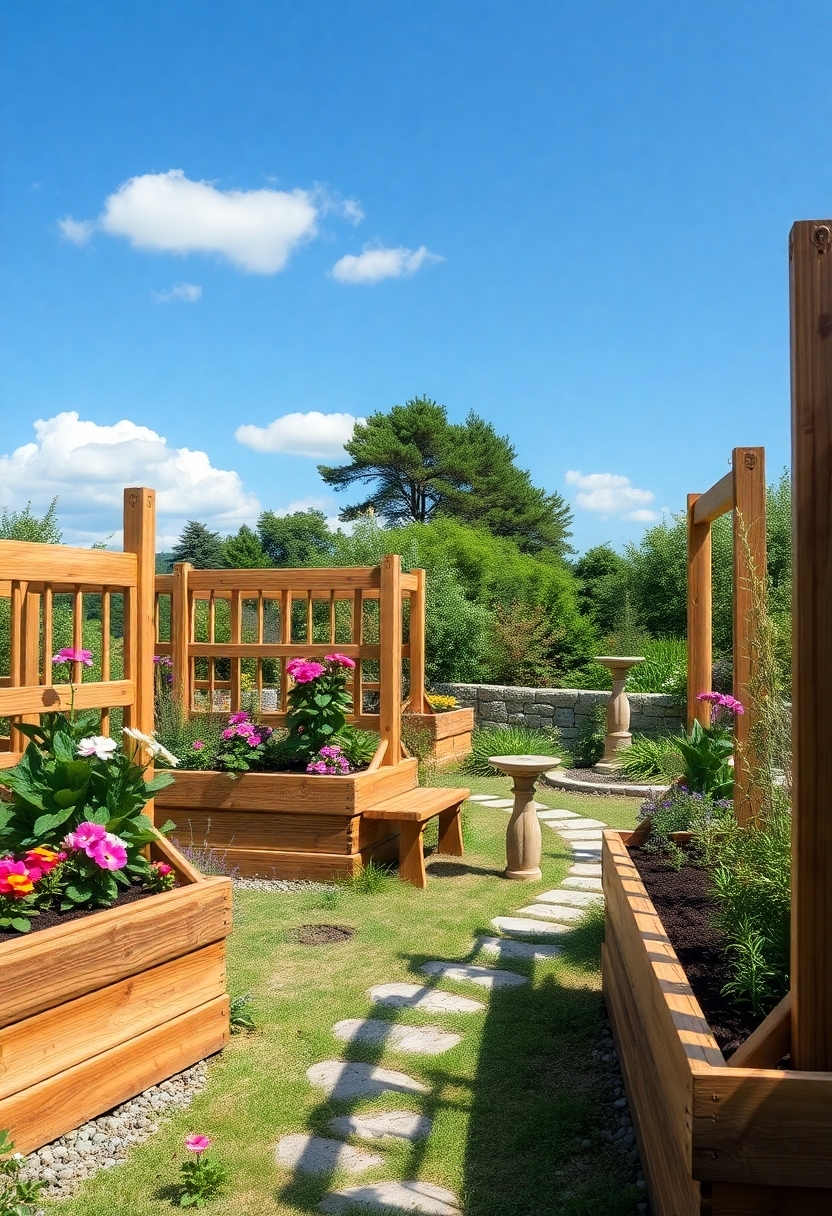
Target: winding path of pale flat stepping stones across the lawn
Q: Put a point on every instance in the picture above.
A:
(550, 916)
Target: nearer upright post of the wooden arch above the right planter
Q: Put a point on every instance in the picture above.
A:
(750, 566)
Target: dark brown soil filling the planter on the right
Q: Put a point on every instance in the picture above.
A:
(688, 914)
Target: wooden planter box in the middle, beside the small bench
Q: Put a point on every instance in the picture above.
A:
(285, 825)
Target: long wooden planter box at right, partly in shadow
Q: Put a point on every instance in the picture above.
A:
(715, 1141)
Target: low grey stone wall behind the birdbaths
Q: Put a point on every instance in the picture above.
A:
(565, 708)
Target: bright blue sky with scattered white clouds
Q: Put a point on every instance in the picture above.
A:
(569, 217)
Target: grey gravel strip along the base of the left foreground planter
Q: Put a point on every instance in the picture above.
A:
(106, 1141)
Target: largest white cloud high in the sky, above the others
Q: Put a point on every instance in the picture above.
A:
(257, 230)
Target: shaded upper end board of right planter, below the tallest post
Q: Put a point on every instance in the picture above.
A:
(763, 1128)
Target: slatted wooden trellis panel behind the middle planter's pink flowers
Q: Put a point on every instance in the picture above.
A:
(229, 635)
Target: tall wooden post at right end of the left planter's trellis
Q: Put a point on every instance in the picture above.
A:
(140, 539)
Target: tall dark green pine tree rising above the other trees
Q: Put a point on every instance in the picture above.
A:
(421, 468)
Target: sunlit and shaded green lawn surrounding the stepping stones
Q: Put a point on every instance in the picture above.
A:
(520, 1107)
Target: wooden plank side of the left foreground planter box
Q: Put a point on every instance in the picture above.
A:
(95, 1011)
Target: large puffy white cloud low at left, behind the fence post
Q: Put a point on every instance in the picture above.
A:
(88, 466)
